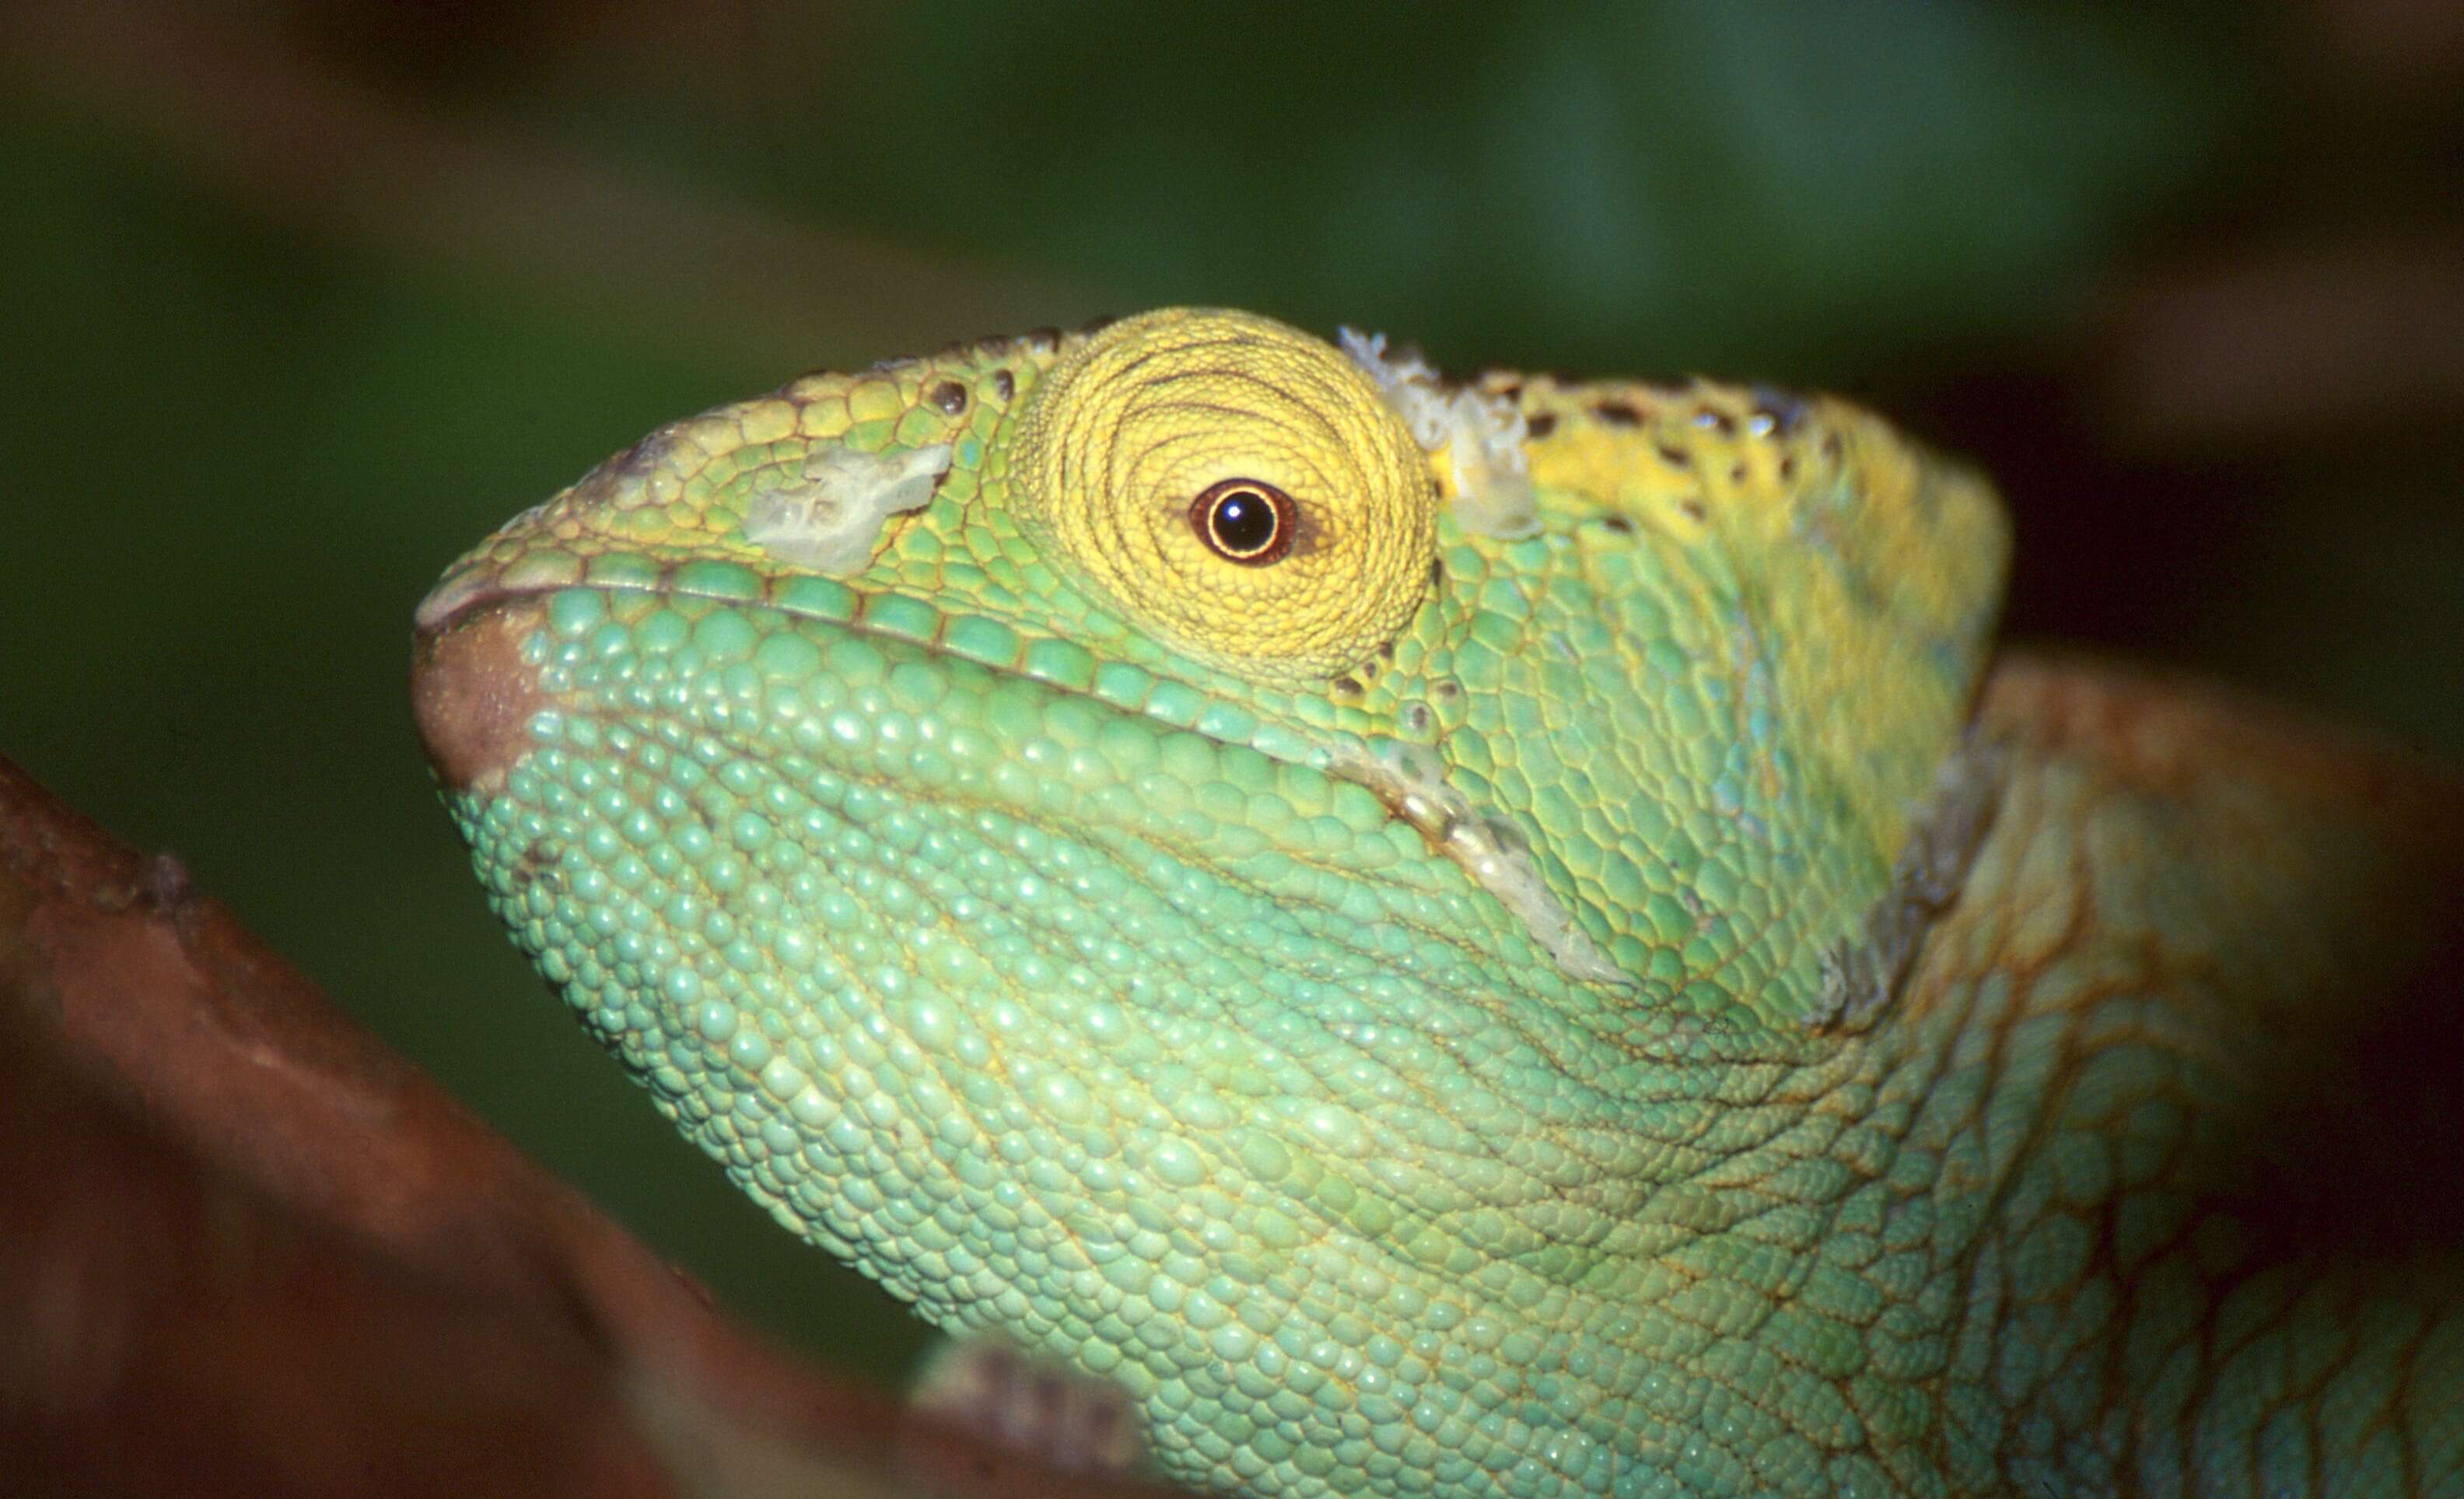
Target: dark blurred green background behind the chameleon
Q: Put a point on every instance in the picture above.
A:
(297, 302)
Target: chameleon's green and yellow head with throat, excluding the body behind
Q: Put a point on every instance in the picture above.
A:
(1248, 869)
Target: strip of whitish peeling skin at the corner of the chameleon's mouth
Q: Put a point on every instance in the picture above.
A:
(1489, 849)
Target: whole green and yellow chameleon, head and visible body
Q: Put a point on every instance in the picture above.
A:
(1482, 938)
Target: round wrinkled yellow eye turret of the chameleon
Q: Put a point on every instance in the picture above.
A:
(1231, 484)
